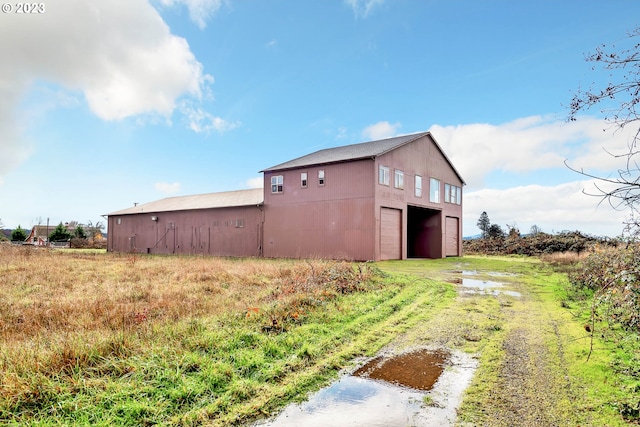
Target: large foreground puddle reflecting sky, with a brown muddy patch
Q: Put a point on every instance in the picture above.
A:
(421, 388)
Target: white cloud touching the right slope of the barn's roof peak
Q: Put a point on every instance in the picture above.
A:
(530, 144)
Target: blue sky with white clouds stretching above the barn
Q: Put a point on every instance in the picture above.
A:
(107, 103)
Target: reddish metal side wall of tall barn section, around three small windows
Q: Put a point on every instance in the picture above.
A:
(333, 221)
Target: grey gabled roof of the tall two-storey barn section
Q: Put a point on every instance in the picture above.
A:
(358, 151)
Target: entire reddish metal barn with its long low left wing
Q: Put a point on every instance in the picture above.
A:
(394, 198)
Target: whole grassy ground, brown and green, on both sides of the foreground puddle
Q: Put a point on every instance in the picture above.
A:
(94, 338)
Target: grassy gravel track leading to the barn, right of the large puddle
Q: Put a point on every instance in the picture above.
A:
(522, 376)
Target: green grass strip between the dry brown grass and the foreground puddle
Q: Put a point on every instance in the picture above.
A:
(215, 369)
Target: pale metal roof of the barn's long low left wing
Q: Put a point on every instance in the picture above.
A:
(227, 199)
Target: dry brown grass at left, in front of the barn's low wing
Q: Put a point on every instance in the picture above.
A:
(60, 310)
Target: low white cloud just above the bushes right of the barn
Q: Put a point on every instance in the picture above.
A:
(552, 208)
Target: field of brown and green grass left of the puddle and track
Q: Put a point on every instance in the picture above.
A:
(107, 339)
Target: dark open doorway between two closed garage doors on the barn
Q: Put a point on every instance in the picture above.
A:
(424, 233)
